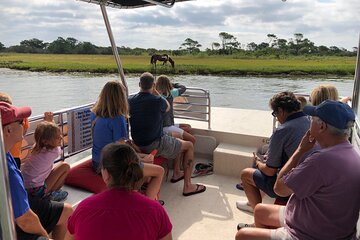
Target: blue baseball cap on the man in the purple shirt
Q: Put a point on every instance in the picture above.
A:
(335, 113)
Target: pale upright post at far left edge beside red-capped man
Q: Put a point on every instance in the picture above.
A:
(6, 211)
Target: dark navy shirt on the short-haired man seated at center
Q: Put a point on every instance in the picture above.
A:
(146, 117)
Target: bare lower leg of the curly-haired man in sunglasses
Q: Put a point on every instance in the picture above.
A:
(252, 192)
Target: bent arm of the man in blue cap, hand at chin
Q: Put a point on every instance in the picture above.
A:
(305, 145)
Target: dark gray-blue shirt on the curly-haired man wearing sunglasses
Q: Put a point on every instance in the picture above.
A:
(286, 139)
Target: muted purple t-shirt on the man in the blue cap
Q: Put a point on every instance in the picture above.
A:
(326, 199)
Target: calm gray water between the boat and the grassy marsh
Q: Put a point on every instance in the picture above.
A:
(54, 91)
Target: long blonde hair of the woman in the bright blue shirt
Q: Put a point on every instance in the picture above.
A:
(112, 101)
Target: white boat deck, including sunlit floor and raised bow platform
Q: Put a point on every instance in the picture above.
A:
(212, 214)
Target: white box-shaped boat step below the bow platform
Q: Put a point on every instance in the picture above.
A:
(230, 159)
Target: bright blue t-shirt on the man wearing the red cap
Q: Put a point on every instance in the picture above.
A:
(19, 197)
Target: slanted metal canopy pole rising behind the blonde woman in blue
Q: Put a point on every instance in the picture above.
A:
(114, 48)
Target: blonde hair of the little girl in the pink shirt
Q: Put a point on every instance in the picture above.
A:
(44, 133)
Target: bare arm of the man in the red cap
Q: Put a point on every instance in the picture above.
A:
(30, 223)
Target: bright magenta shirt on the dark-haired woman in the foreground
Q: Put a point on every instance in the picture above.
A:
(119, 214)
